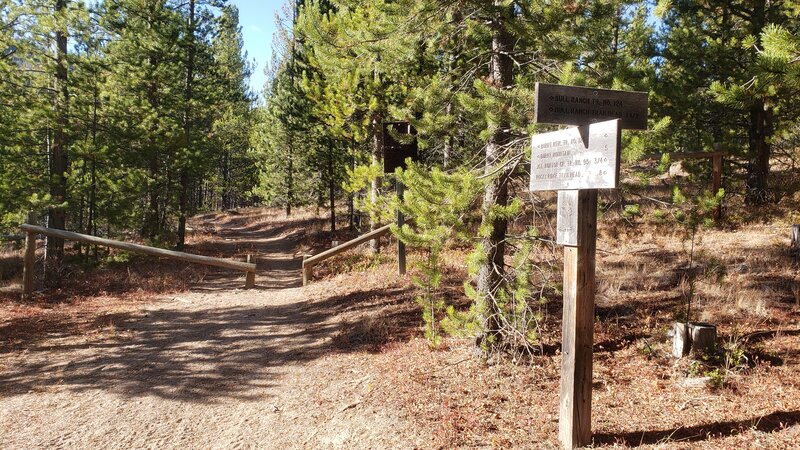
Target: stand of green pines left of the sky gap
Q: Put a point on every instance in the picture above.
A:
(123, 115)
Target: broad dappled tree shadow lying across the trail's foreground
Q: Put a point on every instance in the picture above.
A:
(209, 354)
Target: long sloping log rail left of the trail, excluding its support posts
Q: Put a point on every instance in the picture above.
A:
(159, 252)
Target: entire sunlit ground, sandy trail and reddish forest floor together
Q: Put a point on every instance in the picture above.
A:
(141, 352)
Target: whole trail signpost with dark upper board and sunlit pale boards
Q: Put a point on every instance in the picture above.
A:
(577, 162)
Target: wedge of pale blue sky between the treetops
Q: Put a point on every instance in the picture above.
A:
(257, 18)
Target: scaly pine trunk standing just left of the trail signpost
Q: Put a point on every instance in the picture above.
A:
(492, 269)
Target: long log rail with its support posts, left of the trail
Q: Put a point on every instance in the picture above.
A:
(33, 230)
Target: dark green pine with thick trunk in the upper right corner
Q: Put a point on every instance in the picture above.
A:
(710, 59)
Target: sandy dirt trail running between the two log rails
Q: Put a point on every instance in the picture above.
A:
(217, 367)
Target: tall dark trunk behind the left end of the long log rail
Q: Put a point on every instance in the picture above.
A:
(58, 174)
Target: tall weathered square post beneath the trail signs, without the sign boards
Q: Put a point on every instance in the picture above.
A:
(575, 418)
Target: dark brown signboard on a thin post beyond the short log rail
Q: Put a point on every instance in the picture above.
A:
(395, 153)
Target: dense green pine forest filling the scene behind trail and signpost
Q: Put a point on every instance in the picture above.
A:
(125, 117)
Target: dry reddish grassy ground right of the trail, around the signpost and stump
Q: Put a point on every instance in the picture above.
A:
(746, 283)
